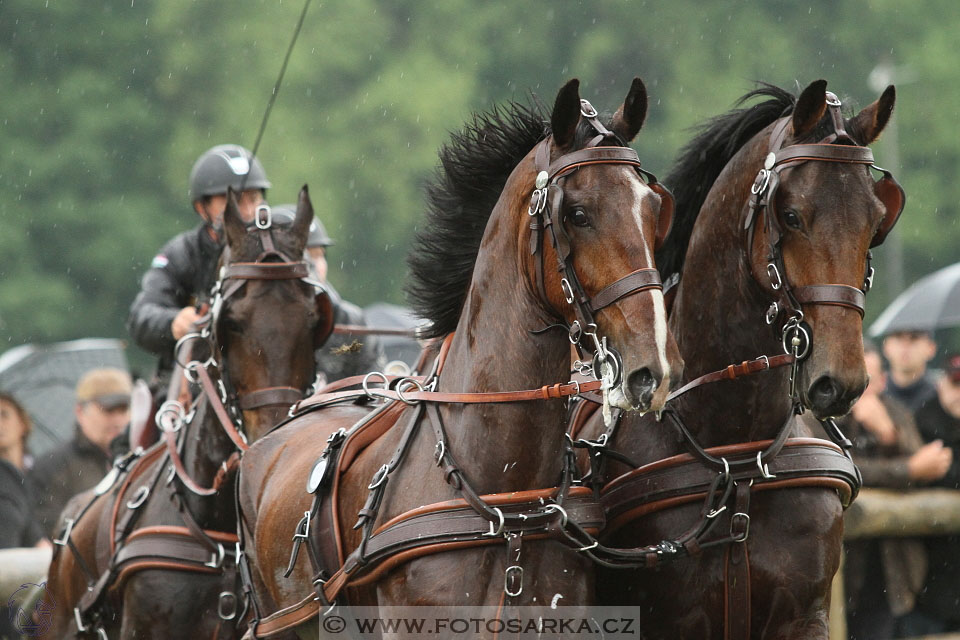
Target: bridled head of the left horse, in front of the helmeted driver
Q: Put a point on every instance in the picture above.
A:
(268, 316)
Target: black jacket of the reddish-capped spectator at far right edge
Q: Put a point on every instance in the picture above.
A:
(941, 596)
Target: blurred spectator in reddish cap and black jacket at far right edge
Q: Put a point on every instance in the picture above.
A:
(938, 607)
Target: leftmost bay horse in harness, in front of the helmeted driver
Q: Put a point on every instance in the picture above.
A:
(153, 552)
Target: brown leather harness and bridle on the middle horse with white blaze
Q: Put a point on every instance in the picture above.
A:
(471, 520)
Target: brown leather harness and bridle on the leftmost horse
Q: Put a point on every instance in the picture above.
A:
(127, 550)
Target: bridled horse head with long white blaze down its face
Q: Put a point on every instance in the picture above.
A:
(604, 221)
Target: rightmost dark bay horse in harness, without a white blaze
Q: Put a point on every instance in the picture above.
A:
(773, 199)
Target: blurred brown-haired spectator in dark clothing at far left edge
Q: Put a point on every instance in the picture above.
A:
(18, 524)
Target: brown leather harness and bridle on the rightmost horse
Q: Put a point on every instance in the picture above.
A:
(724, 477)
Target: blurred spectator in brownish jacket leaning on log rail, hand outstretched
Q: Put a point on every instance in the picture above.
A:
(883, 576)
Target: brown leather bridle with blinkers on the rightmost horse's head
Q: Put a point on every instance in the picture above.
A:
(838, 147)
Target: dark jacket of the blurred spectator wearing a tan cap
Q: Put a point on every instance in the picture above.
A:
(60, 474)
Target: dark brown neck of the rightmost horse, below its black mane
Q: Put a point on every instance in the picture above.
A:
(718, 317)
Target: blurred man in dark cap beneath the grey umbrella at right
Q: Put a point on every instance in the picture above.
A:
(908, 353)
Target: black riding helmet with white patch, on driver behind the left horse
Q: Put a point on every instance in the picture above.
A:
(225, 165)
